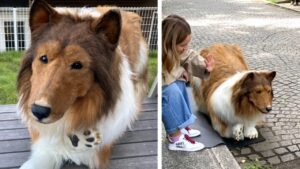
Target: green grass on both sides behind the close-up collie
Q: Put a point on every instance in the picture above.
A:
(9, 67)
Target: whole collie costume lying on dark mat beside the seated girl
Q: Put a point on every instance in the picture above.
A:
(234, 97)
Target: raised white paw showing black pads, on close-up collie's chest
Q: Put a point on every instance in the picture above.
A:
(85, 139)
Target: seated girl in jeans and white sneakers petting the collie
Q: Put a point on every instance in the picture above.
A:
(178, 63)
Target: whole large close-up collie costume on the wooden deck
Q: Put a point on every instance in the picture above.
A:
(81, 83)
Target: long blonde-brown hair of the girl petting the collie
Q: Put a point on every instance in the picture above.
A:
(174, 31)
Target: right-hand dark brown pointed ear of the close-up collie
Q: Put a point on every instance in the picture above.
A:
(110, 25)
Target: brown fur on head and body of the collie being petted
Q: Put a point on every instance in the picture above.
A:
(247, 103)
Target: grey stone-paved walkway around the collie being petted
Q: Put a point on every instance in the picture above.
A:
(270, 39)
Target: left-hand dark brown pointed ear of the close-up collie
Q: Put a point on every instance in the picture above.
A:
(40, 13)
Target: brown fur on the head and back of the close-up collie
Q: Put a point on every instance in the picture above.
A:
(90, 92)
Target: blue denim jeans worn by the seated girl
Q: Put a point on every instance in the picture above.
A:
(176, 109)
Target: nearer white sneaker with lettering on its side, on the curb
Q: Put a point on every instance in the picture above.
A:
(185, 143)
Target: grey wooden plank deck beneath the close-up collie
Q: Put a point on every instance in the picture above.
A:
(136, 149)
